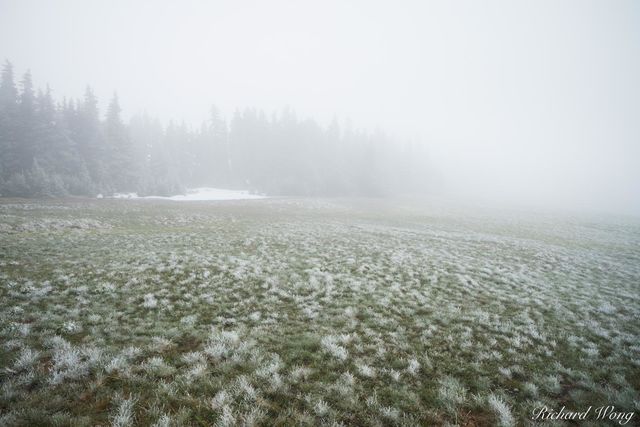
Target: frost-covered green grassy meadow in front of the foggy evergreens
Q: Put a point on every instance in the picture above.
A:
(312, 312)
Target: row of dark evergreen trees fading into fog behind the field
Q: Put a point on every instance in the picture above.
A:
(58, 148)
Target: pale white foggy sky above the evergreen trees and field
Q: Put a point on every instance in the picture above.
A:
(533, 102)
